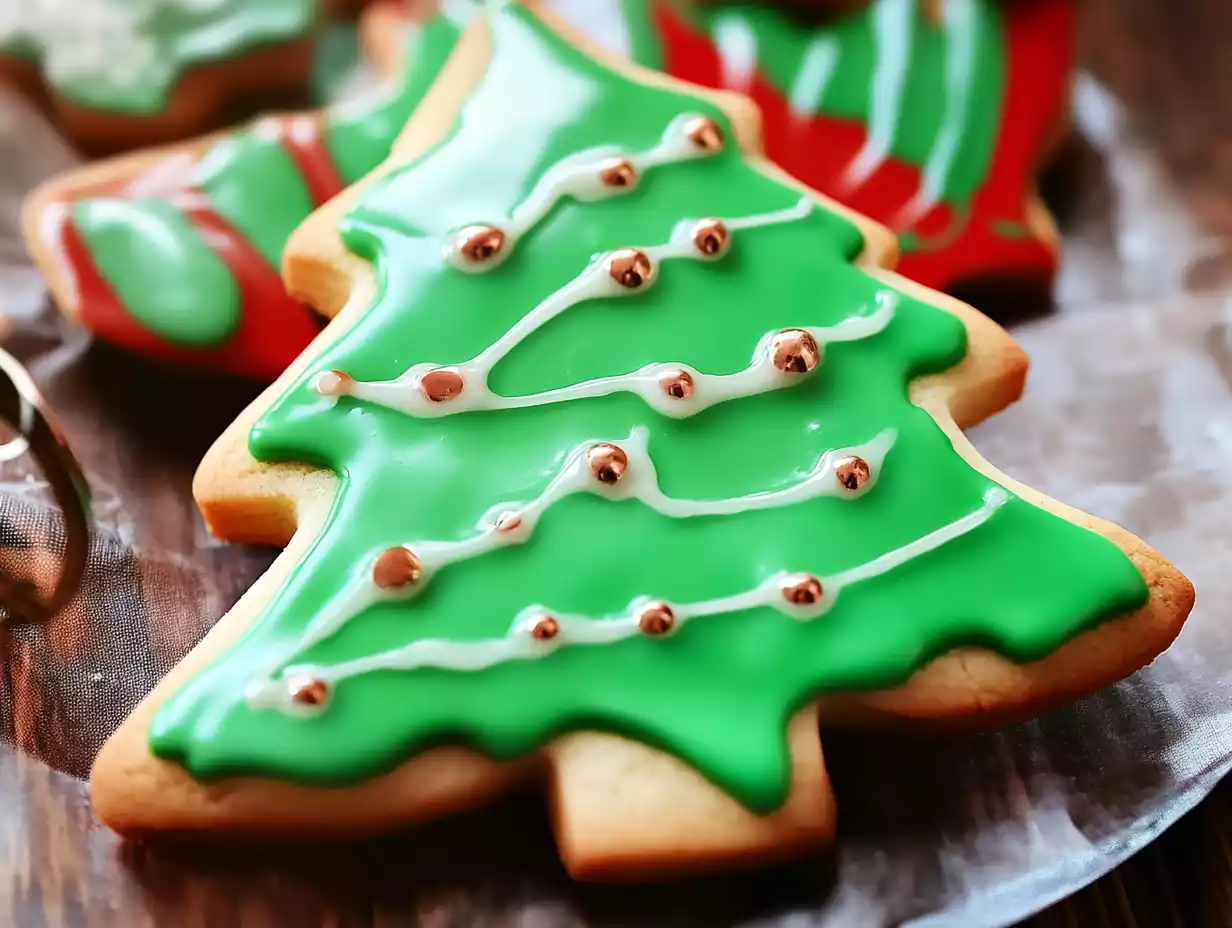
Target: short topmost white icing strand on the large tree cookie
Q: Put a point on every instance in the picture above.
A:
(580, 177)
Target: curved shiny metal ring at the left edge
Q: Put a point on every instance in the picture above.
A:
(23, 407)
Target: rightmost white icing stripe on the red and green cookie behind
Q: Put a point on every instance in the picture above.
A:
(962, 40)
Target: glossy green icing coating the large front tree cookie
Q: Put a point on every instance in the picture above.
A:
(720, 692)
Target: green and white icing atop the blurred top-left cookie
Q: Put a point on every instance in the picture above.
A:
(128, 56)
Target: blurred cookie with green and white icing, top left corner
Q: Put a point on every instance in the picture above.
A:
(120, 73)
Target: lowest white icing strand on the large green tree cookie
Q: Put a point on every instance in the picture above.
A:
(576, 630)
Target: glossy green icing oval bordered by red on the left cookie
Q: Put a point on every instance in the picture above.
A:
(182, 291)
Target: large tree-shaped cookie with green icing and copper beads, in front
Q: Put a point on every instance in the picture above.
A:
(623, 465)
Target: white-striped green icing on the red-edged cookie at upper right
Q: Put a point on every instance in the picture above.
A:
(881, 66)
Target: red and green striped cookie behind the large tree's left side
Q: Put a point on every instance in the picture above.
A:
(174, 253)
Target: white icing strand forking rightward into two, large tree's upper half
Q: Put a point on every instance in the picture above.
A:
(761, 376)
